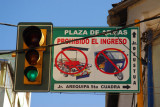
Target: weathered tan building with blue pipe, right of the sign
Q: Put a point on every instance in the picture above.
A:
(130, 11)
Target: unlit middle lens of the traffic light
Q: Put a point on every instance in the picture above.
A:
(32, 56)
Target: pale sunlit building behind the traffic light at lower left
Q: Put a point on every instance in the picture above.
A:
(9, 98)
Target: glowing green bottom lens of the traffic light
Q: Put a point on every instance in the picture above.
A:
(31, 73)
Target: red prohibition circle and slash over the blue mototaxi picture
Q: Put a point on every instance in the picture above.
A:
(114, 49)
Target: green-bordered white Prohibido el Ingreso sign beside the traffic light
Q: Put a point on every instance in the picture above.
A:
(106, 63)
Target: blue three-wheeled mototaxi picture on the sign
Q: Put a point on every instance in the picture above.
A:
(111, 62)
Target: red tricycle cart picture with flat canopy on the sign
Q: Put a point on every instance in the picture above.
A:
(71, 65)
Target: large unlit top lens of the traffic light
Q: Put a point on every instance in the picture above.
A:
(32, 36)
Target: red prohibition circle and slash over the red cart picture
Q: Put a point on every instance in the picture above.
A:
(71, 63)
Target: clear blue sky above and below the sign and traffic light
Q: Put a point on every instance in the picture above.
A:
(62, 13)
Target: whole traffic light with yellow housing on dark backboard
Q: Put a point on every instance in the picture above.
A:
(33, 62)
